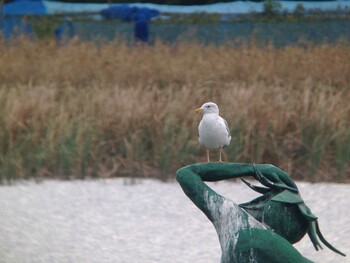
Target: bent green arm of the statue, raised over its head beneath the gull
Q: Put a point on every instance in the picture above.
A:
(192, 178)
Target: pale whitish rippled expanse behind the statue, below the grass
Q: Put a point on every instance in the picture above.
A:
(108, 220)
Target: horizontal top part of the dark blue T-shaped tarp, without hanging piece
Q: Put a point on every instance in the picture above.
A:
(127, 13)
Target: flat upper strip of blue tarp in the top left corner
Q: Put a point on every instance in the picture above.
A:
(25, 7)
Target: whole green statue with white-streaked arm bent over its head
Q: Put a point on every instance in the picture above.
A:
(262, 230)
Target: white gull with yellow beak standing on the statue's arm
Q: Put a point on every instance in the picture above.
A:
(213, 131)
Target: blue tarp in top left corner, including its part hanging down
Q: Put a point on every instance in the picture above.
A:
(12, 22)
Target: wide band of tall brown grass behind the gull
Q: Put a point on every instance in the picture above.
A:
(111, 110)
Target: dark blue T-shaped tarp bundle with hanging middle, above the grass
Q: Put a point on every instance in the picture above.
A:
(140, 16)
